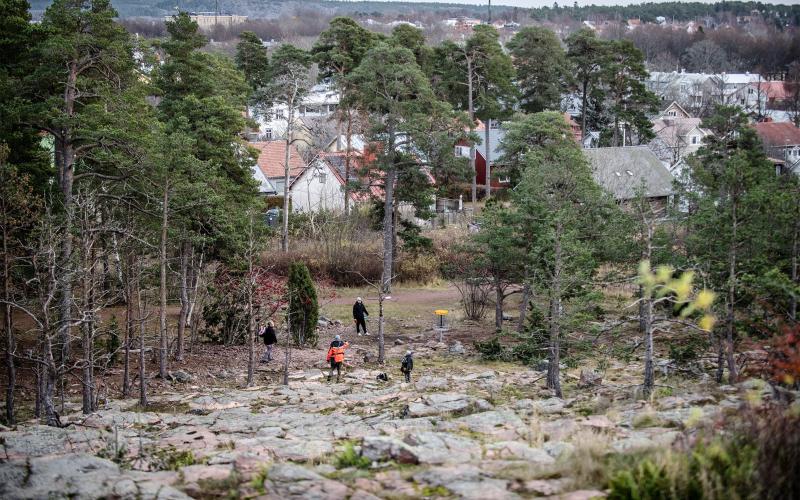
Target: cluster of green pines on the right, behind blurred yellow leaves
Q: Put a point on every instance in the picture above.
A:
(732, 229)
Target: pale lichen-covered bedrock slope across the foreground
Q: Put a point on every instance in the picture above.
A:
(461, 429)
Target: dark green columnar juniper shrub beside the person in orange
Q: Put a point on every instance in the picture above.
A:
(303, 307)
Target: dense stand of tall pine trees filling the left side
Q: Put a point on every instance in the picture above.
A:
(111, 201)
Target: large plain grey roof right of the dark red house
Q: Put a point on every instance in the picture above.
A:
(623, 171)
